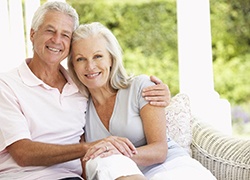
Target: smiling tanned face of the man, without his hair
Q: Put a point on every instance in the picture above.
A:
(51, 42)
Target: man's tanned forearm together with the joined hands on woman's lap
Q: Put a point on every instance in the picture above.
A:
(29, 153)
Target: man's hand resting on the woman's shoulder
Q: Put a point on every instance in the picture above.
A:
(157, 95)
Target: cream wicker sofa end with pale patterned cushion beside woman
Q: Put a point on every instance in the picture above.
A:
(227, 157)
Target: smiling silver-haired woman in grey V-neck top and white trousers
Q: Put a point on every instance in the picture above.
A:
(116, 108)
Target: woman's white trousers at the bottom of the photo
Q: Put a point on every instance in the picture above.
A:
(112, 167)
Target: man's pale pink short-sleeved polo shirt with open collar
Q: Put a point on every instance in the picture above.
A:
(31, 109)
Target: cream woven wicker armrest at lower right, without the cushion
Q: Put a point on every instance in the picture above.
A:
(227, 157)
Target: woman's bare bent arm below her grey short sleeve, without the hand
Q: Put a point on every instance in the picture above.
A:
(154, 125)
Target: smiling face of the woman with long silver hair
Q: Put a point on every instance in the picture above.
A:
(92, 62)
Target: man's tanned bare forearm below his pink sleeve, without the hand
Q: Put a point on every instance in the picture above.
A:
(28, 153)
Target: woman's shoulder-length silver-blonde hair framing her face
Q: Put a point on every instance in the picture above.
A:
(119, 79)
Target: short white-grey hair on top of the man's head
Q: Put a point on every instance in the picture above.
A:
(53, 6)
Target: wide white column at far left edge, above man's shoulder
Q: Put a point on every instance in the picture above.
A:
(12, 43)
